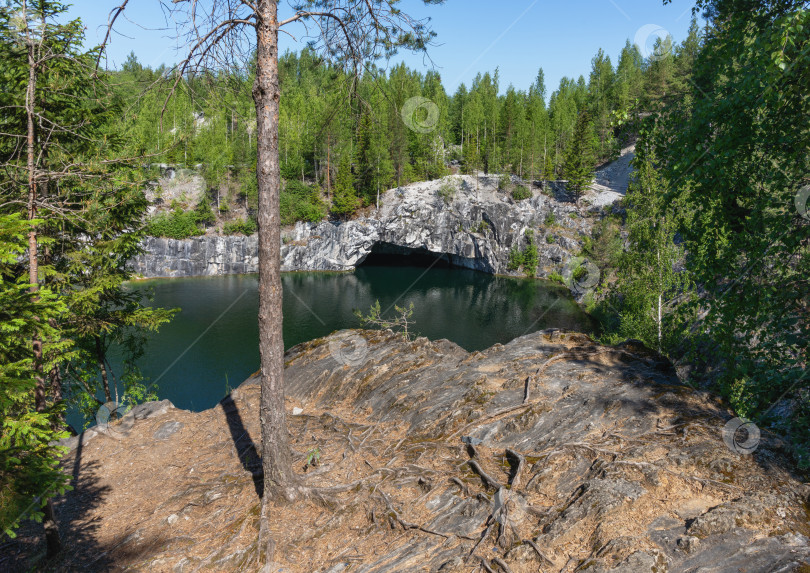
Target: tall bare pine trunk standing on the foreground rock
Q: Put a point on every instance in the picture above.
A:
(279, 479)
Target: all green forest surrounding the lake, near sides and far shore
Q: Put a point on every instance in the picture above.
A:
(708, 262)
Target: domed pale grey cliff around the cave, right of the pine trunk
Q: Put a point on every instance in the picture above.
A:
(474, 229)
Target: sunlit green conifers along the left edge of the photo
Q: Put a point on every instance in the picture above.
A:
(89, 203)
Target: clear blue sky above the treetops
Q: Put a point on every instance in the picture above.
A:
(517, 36)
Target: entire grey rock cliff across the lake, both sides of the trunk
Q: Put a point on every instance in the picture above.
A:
(475, 229)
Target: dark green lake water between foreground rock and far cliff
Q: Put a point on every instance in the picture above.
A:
(212, 343)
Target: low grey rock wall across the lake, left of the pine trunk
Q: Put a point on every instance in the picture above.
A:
(199, 256)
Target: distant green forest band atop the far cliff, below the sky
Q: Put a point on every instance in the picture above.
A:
(331, 121)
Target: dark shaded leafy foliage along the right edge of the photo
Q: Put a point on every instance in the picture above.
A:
(735, 141)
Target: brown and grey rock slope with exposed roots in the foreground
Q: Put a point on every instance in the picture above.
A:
(549, 453)
